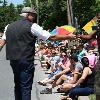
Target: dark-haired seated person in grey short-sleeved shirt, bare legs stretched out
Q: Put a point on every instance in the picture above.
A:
(72, 76)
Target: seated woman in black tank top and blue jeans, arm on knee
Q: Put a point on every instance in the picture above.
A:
(85, 85)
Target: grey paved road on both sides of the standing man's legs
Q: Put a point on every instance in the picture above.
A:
(6, 82)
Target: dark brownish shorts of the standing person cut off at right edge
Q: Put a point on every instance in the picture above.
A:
(97, 78)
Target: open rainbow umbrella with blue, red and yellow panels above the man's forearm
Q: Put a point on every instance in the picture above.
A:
(63, 30)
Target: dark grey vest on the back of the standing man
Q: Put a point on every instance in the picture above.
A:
(20, 41)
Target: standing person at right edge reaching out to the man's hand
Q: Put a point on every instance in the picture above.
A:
(96, 31)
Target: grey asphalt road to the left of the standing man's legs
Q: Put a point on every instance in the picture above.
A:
(6, 78)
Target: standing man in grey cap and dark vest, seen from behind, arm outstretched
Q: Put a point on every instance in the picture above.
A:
(20, 39)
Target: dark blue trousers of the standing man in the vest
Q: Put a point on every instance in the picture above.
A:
(23, 78)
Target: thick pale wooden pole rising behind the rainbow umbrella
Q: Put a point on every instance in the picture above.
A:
(70, 12)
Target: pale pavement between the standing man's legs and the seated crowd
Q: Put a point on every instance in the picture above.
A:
(39, 75)
